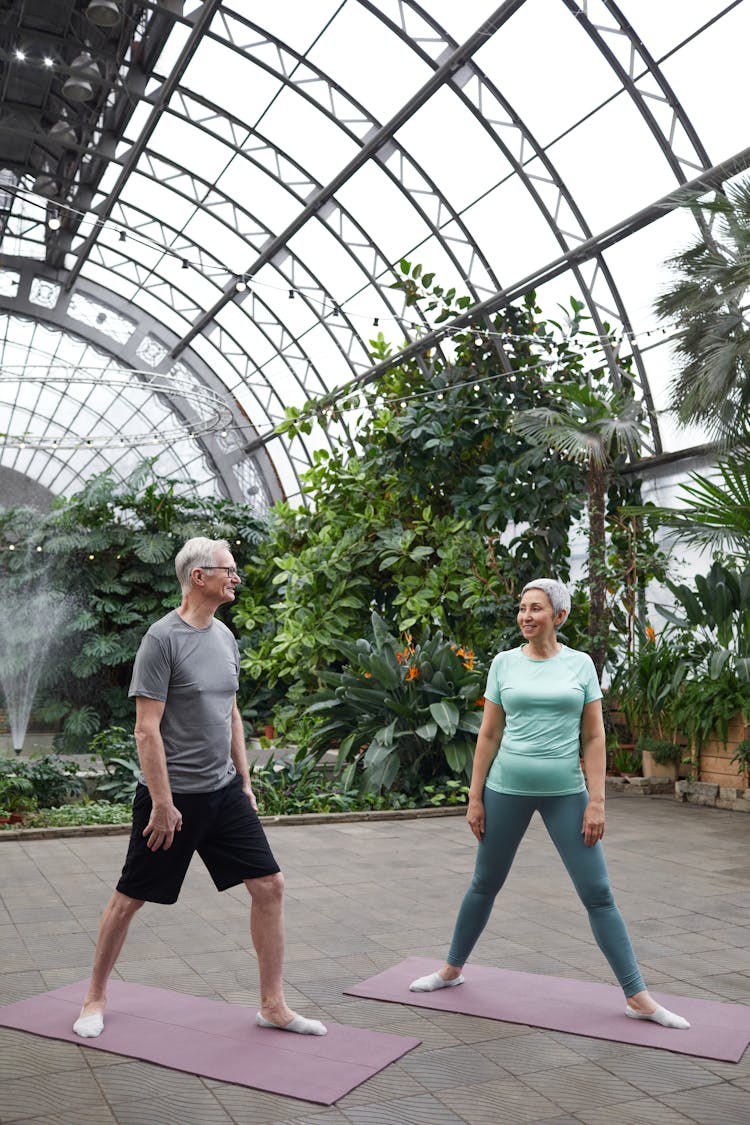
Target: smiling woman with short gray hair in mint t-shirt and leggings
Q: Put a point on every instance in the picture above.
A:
(543, 707)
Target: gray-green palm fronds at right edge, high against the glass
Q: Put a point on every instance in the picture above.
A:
(709, 305)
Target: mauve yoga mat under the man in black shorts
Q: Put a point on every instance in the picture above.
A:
(215, 1040)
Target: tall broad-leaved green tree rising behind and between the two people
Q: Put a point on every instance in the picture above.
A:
(433, 519)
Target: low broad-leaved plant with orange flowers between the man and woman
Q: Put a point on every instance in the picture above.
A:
(402, 713)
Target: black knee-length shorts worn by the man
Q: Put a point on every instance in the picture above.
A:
(222, 827)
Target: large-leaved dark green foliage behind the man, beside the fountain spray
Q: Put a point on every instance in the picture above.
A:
(109, 553)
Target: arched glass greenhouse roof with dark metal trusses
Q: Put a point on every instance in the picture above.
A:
(228, 209)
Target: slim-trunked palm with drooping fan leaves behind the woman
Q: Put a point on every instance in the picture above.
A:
(593, 428)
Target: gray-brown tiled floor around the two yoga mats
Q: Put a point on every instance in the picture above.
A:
(362, 896)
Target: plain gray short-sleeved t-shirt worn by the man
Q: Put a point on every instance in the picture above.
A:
(195, 672)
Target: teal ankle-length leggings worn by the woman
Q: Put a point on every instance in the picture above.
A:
(507, 820)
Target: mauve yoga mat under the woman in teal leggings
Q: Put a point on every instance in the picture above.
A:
(719, 1031)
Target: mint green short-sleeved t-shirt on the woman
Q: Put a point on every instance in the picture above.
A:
(544, 701)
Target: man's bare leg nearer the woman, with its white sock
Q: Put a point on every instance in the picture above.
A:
(267, 934)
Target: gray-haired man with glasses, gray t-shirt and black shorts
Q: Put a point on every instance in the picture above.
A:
(195, 793)
